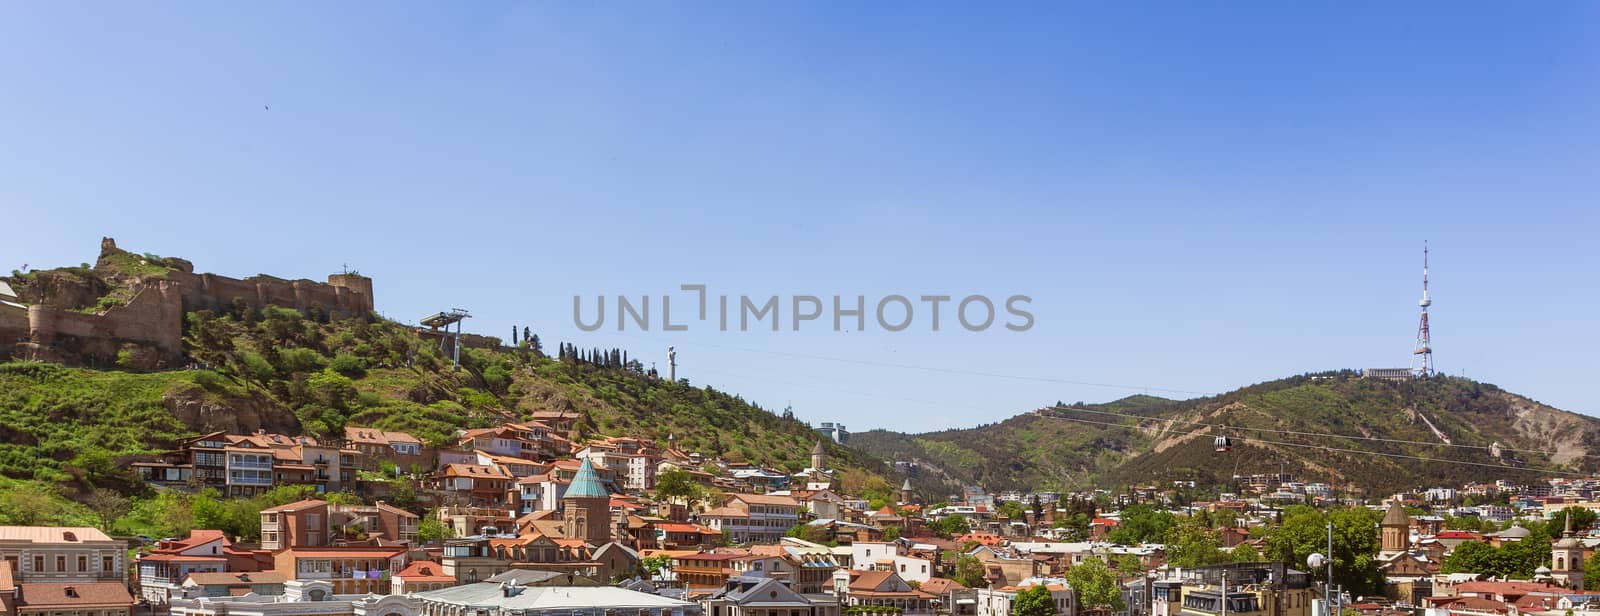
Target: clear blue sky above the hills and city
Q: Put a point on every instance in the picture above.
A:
(1198, 196)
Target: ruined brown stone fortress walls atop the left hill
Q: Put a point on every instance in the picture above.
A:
(65, 316)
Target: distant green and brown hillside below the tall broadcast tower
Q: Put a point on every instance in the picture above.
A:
(1145, 441)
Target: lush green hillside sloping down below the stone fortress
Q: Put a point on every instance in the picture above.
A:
(74, 430)
